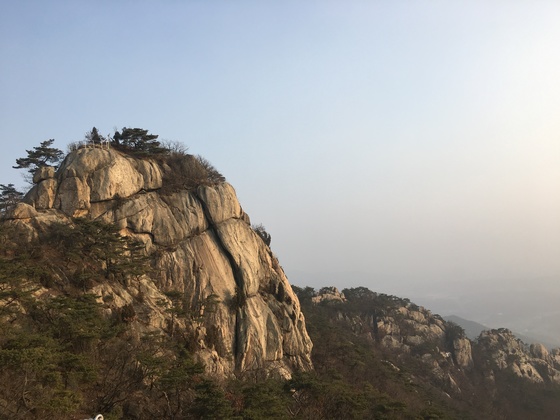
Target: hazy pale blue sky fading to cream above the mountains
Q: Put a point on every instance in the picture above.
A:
(390, 144)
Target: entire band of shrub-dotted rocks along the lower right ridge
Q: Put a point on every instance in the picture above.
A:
(408, 331)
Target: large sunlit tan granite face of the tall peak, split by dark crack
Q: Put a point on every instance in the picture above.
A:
(246, 319)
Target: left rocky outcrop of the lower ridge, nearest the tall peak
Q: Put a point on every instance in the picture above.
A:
(404, 330)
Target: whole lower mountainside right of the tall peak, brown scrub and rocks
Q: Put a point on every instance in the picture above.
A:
(425, 365)
